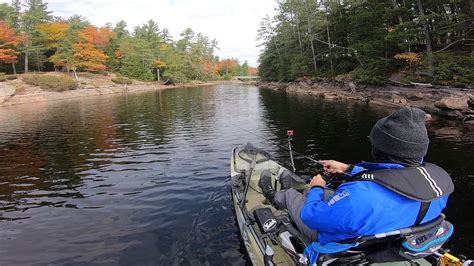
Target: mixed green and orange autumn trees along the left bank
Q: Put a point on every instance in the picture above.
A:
(33, 39)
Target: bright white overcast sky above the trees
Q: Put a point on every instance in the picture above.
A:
(234, 23)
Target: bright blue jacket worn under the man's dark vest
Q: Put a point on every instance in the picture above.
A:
(362, 208)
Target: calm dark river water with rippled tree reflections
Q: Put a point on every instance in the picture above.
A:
(143, 179)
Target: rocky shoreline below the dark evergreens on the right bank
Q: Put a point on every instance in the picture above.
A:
(449, 103)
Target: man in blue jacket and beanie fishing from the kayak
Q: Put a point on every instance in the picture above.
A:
(396, 191)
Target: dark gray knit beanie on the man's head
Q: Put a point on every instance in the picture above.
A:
(402, 134)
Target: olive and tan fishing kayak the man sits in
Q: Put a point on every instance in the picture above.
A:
(267, 233)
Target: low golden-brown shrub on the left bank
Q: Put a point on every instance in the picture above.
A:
(51, 82)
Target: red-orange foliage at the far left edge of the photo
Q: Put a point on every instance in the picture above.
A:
(8, 40)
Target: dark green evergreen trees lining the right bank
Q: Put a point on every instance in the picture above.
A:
(373, 41)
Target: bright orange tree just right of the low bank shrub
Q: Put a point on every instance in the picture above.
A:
(89, 58)
